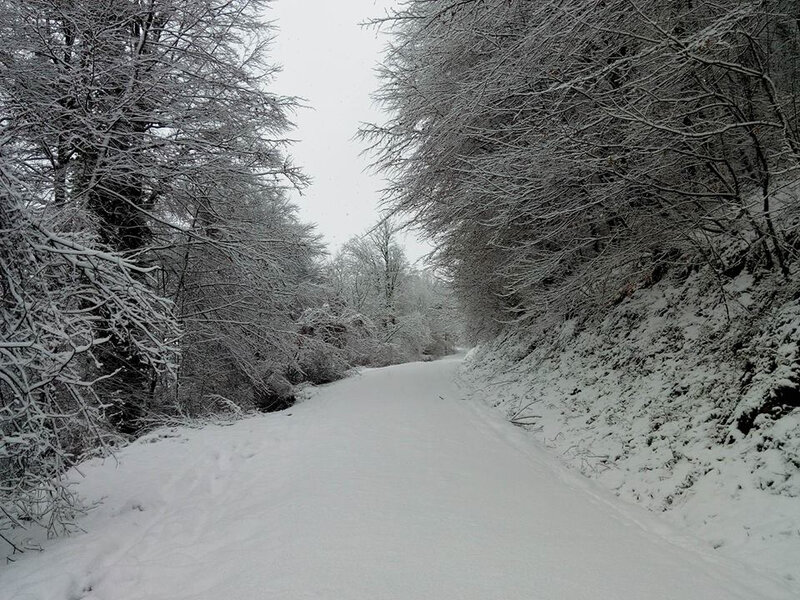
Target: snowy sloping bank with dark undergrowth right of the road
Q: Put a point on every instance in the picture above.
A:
(677, 400)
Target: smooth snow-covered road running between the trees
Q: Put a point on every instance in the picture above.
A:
(382, 486)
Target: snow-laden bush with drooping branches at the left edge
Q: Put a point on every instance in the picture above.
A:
(63, 300)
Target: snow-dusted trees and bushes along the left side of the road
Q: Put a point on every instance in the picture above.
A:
(151, 264)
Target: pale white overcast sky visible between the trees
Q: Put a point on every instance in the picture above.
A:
(328, 59)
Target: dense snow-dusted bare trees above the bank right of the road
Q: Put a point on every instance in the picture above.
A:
(562, 154)
